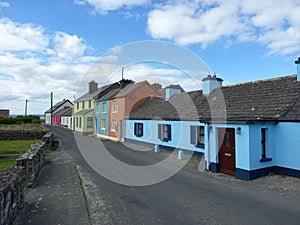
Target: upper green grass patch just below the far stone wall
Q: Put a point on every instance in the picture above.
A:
(15, 146)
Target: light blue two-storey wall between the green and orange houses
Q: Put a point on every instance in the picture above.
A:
(99, 115)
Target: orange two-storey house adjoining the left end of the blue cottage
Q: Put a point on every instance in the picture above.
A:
(126, 101)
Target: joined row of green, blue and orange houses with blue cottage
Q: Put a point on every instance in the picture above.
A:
(245, 130)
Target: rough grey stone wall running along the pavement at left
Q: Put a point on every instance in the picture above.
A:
(13, 181)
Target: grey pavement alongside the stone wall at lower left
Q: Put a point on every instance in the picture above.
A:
(57, 197)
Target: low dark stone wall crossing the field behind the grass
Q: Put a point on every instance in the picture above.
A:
(21, 134)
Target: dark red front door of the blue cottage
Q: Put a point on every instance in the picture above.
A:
(226, 138)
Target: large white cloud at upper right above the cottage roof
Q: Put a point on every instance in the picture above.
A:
(270, 23)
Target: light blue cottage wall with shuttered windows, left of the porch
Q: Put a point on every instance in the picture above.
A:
(180, 133)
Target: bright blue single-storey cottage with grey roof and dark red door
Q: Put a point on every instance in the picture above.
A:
(246, 130)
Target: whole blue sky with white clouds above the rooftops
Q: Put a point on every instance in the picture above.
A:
(60, 45)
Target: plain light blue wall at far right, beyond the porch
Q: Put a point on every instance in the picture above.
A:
(287, 143)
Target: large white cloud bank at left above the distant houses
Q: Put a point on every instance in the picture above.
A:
(37, 63)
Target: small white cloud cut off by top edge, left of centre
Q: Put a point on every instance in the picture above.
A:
(103, 6)
